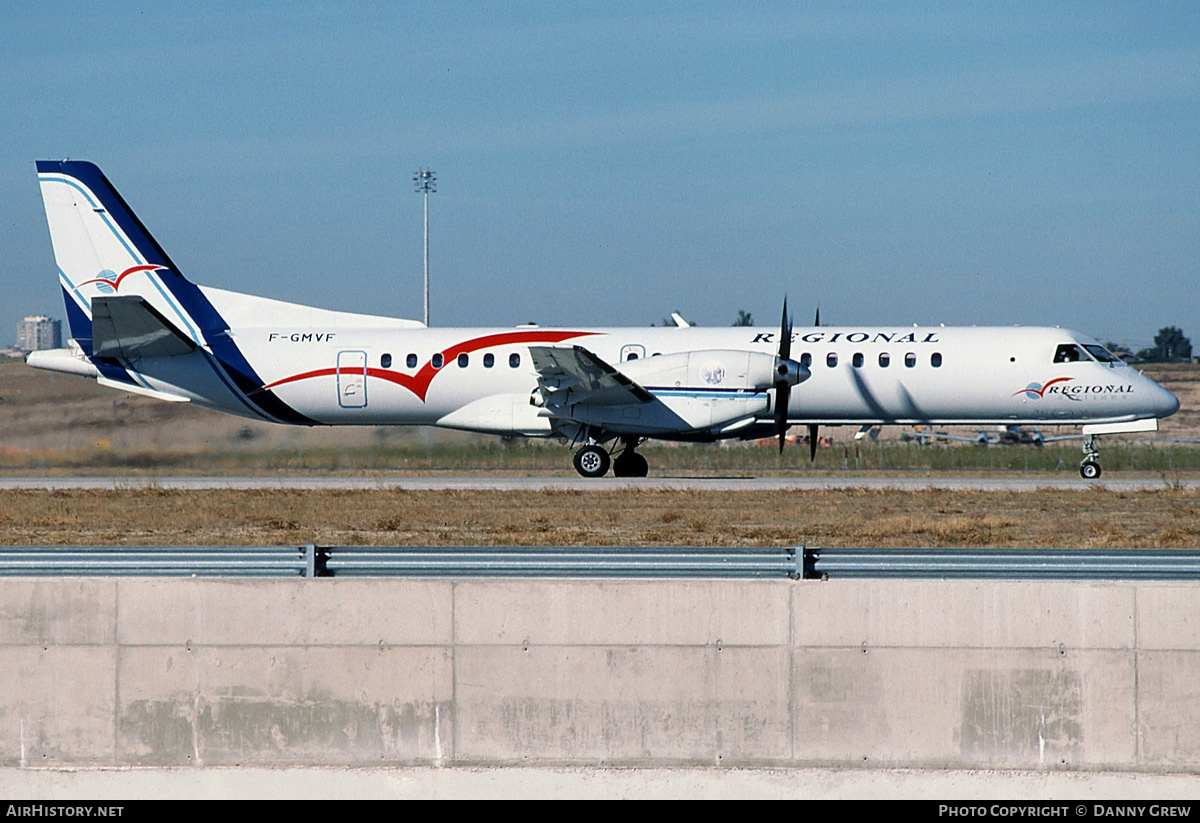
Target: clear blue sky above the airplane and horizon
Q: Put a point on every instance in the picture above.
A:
(608, 164)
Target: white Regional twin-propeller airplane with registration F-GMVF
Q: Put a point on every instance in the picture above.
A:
(137, 325)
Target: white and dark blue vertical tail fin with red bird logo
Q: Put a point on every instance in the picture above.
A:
(103, 250)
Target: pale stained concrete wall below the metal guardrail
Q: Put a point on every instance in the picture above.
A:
(334, 672)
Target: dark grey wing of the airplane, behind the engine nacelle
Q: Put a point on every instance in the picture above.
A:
(569, 376)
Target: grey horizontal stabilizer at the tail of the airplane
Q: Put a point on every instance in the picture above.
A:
(129, 328)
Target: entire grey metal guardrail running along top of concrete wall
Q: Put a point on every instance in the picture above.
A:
(314, 561)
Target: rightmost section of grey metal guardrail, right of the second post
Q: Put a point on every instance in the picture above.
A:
(1069, 564)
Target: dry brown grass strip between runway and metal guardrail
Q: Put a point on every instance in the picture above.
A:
(1169, 518)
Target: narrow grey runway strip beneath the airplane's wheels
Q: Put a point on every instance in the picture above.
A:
(513, 483)
